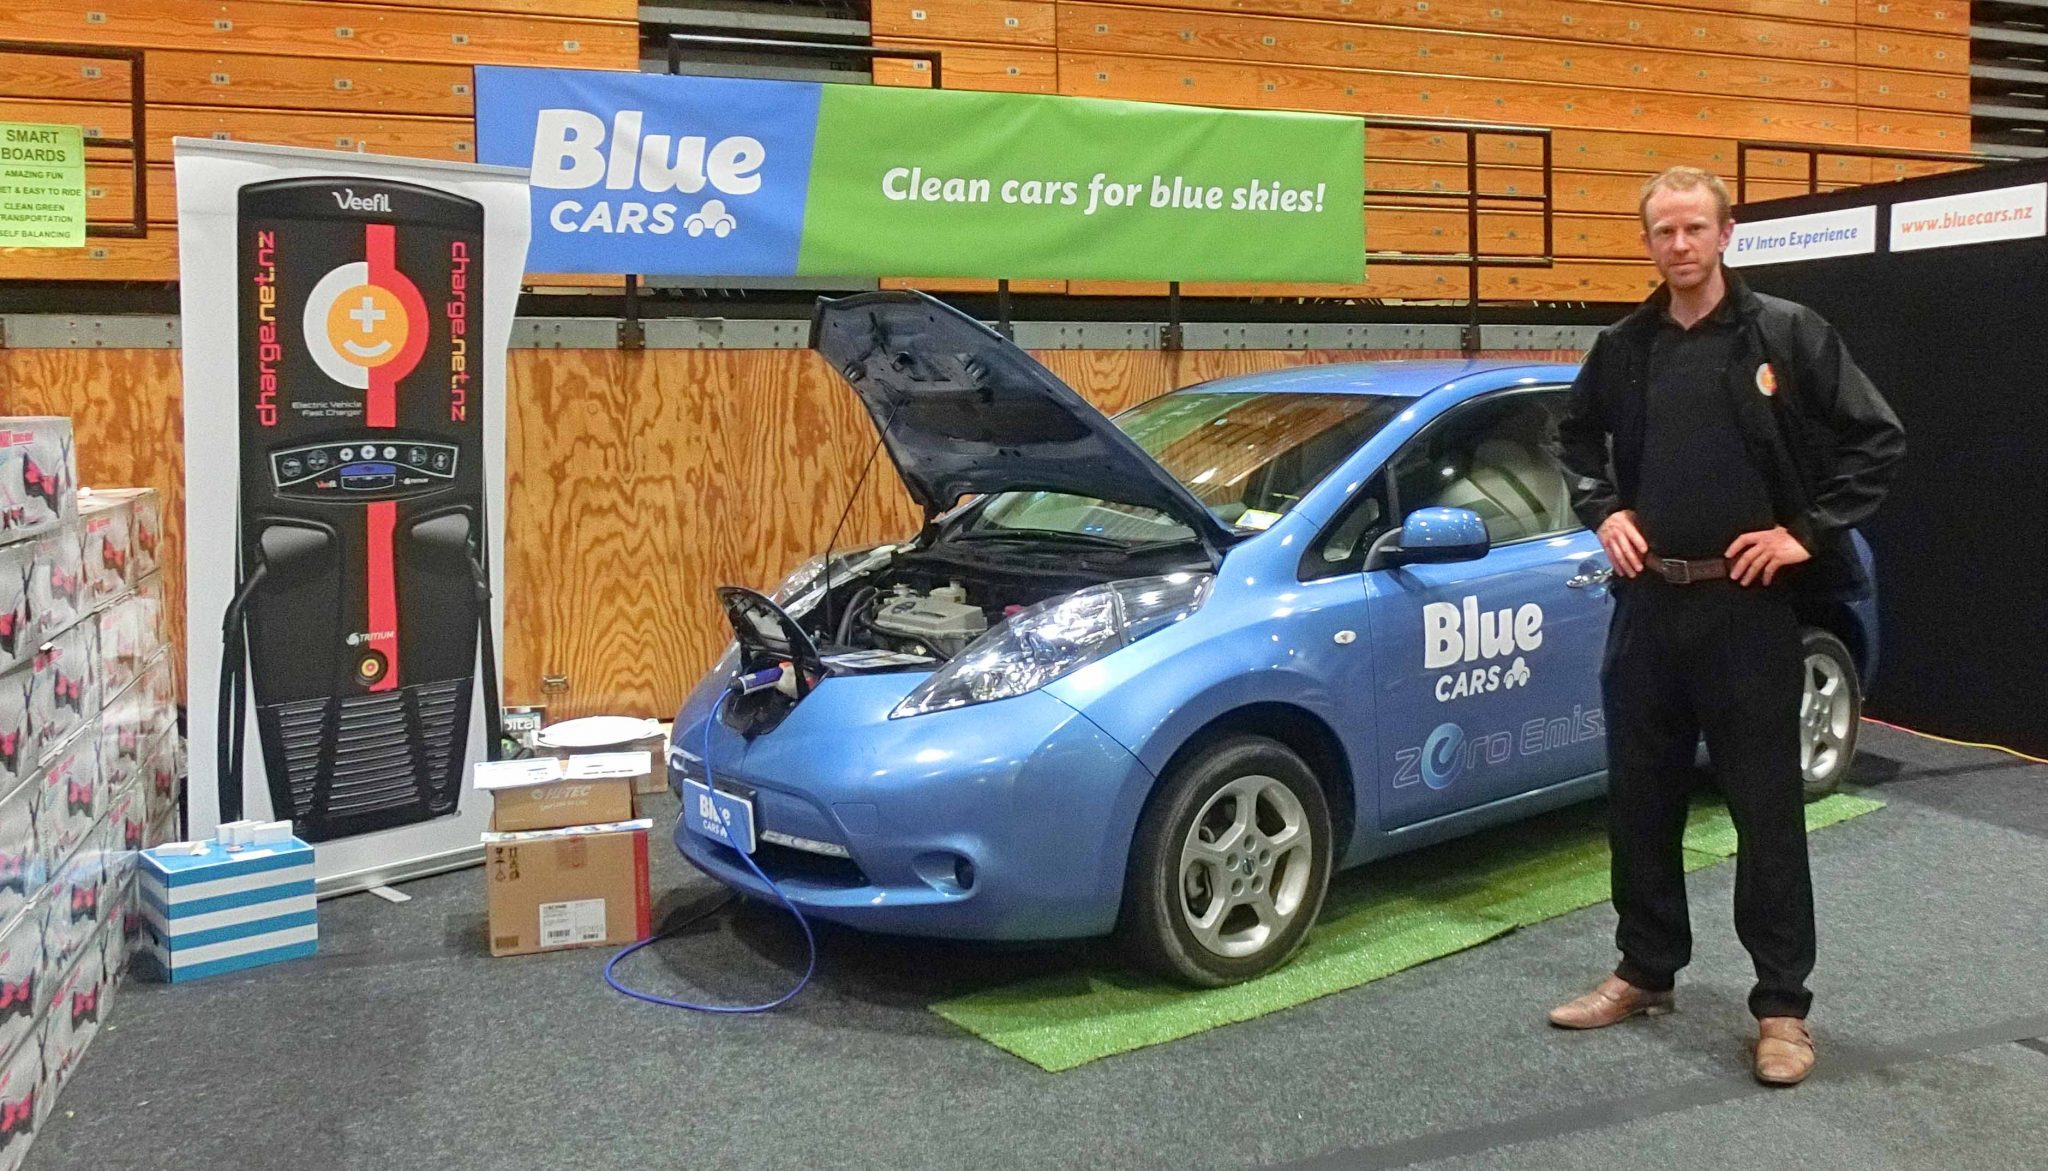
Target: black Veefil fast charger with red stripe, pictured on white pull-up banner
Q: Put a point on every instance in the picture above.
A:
(361, 517)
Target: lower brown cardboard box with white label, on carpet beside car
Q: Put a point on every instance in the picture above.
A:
(577, 887)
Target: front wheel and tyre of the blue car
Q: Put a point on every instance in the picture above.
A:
(1230, 865)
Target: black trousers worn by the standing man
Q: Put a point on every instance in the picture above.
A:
(1723, 662)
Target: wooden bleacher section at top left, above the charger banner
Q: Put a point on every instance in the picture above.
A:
(341, 75)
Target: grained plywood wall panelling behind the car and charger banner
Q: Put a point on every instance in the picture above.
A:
(636, 486)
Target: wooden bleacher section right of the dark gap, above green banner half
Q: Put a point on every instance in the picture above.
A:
(1629, 89)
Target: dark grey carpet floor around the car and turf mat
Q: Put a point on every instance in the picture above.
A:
(402, 1045)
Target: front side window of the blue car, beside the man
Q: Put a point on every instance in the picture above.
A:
(1492, 458)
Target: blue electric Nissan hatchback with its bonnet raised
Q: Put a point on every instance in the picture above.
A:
(1160, 677)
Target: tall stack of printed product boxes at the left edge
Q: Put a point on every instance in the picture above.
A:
(89, 758)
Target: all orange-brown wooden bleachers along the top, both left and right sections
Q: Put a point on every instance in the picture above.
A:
(1629, 89)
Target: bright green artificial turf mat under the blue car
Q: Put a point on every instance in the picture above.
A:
(1377, 922)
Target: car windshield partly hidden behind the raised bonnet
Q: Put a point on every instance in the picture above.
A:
(1246, 456)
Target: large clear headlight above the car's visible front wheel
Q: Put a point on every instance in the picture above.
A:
(1058, 636)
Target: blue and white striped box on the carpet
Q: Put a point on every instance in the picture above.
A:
(224, 912)
